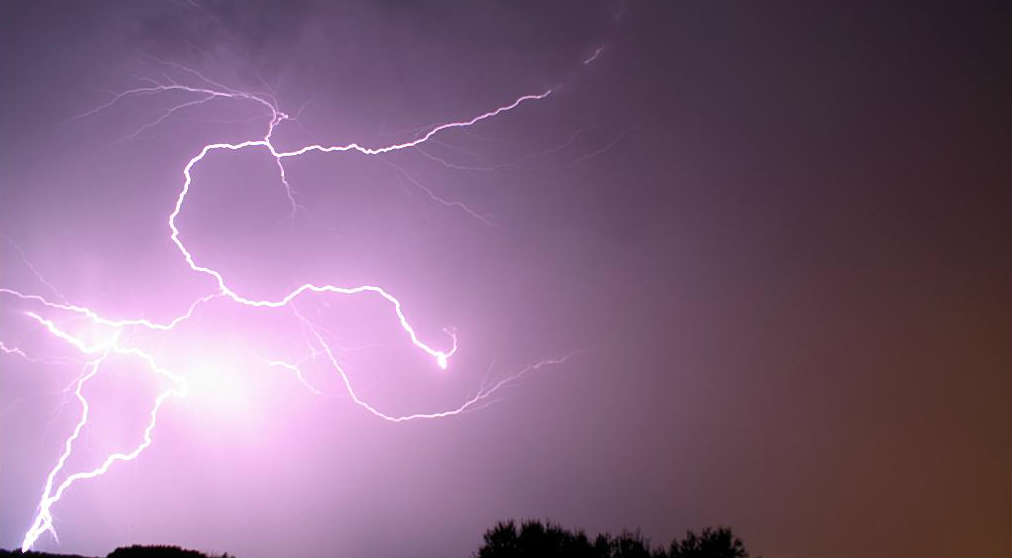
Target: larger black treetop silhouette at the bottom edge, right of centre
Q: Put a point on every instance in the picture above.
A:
(537, 539)
